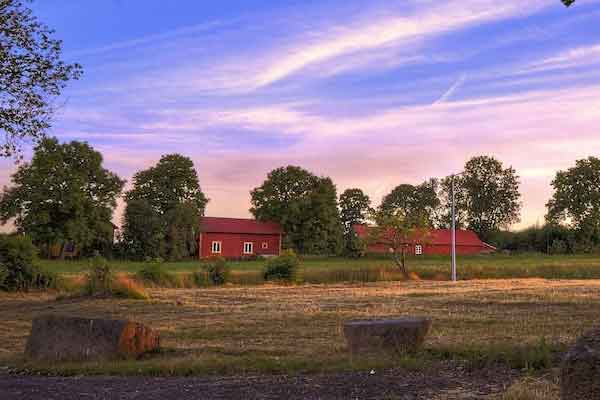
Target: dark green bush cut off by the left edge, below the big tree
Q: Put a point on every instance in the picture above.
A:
(17, 265)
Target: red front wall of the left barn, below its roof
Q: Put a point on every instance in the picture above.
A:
(232, 244)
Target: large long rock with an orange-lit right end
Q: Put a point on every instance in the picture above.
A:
(59, 338)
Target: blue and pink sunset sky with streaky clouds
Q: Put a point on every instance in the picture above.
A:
(371, 93)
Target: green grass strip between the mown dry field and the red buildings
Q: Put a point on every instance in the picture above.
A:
(335, 269)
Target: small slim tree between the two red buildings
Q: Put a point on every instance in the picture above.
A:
(355, 207)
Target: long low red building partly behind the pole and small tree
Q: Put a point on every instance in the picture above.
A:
(437, 241)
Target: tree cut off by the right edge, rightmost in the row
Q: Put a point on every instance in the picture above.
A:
(576, 199)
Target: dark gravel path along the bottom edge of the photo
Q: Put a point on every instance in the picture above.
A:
(445, 382)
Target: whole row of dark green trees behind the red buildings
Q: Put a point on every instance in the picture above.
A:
(65, 197)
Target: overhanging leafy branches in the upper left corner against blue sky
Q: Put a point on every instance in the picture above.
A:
(31, 75)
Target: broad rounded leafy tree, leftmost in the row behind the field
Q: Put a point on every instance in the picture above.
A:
(63, 194)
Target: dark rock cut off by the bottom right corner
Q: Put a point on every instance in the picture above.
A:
(580, 370)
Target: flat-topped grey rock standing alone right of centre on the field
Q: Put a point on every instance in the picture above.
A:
(402, 335)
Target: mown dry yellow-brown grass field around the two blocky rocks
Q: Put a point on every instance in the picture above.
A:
(279, 329)
